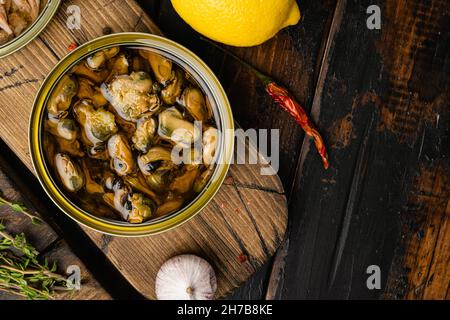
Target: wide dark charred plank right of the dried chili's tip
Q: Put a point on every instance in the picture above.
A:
(383, 97)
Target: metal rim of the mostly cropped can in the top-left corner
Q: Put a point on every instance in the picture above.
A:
(32, 31)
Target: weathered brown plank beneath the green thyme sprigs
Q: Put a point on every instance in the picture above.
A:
(46, 241)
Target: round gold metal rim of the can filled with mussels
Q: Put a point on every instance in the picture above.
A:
(206, 80)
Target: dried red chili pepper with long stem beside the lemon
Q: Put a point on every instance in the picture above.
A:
(285, 100)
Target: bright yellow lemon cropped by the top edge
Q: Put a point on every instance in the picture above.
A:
(240, 23)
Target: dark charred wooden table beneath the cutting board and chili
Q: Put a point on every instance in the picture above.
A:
(380, 98)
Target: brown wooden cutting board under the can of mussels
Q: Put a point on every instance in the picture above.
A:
(237, 232)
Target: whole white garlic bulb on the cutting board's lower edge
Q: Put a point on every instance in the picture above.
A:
(185, 277)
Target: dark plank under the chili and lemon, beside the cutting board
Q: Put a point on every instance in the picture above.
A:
(296, 48)
